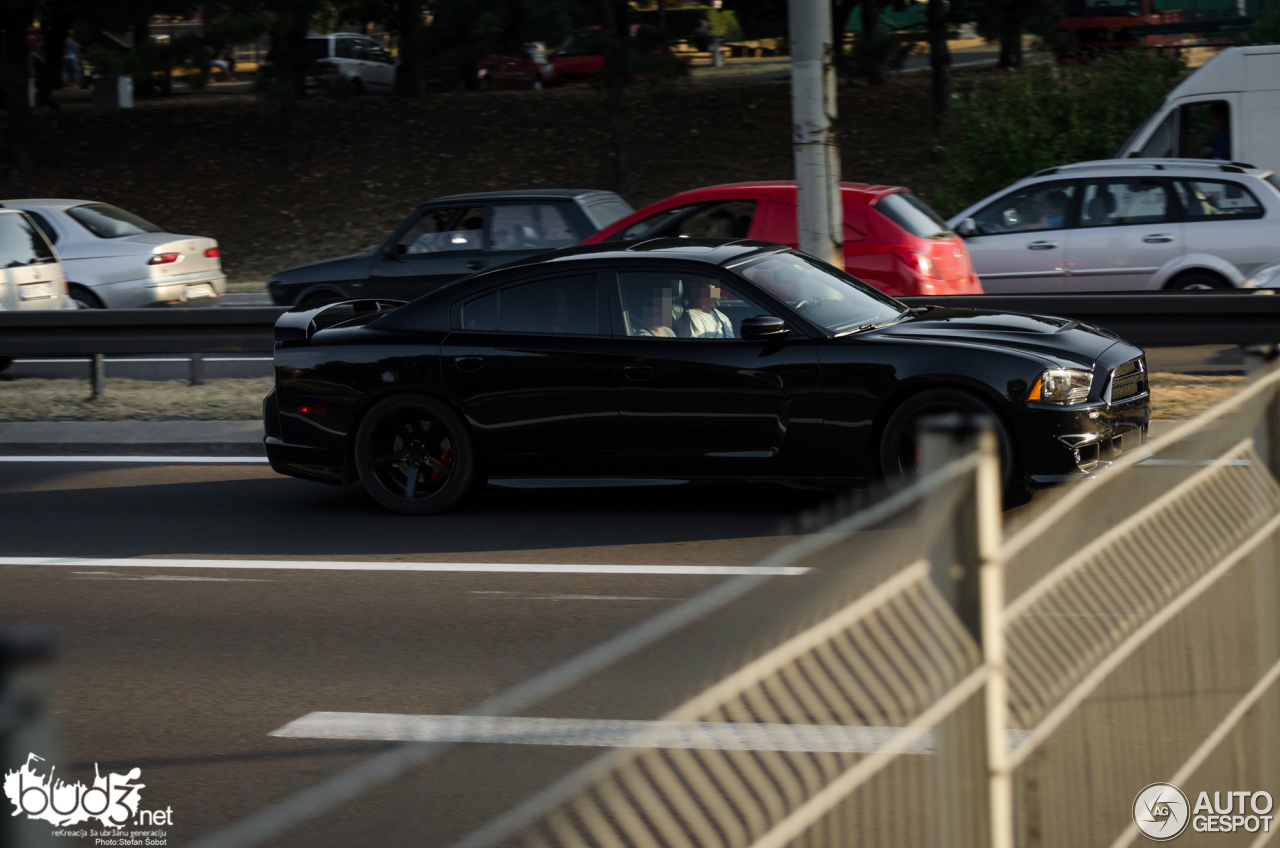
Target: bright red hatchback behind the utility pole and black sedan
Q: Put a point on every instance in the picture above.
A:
(893, 240)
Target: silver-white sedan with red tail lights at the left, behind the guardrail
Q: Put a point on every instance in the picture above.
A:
(113, 259)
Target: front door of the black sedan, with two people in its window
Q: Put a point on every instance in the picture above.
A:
(694, 398)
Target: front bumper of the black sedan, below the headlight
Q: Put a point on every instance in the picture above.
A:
(1059, 445)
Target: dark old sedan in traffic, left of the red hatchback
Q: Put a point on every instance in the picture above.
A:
(449, 239)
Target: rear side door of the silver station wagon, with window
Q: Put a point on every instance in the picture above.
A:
(1128, 231)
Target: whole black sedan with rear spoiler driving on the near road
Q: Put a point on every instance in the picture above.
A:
(680, 359)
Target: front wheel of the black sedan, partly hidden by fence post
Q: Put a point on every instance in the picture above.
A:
(899, 448)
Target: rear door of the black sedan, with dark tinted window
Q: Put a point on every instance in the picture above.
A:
(531, 364)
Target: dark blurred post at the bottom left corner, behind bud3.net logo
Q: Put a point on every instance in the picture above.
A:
(26, 721)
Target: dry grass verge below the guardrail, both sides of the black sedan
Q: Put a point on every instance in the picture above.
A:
(1174, 396)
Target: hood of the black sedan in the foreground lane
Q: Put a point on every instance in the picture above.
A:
(1054, 339)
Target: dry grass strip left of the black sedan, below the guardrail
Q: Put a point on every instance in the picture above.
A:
(225, 400)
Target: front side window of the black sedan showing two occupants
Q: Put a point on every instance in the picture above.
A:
(676, 306)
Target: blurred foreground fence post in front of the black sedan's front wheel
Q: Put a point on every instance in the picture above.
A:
(975, 782)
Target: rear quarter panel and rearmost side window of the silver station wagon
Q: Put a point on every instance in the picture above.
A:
(1224, 218)
